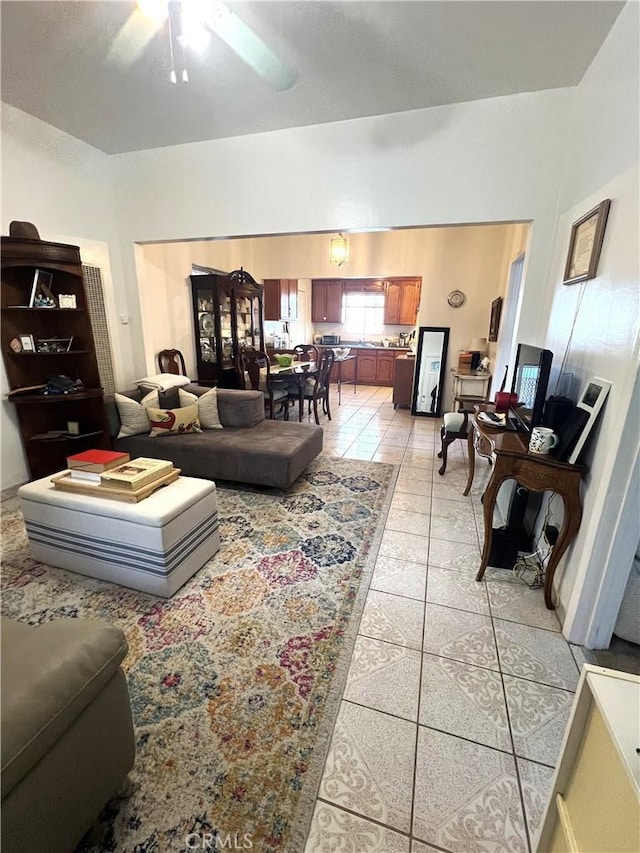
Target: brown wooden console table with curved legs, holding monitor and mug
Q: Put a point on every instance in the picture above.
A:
(539, 473)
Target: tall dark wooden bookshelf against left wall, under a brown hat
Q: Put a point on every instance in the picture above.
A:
(45, 340)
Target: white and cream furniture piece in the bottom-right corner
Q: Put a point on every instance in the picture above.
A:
(594, 805)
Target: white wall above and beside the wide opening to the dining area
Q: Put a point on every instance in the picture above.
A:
(493, 161)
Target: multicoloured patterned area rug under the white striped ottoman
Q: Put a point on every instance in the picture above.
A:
(235, 682)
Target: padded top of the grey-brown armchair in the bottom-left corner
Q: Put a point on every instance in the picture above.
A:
(50, 674)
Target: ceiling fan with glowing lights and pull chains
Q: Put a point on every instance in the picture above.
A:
(190, 24)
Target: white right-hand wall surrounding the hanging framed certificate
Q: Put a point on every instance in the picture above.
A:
(595, 326)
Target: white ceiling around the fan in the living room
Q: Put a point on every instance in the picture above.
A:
(353, 59)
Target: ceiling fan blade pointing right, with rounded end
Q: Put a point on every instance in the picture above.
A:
(250, 47)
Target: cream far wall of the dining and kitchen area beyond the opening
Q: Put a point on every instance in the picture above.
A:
(474, 259)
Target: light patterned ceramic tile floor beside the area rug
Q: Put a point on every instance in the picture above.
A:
(458, 692)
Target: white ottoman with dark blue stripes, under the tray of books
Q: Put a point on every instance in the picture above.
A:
(154, 545)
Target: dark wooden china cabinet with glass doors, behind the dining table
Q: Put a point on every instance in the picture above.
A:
(227, 311)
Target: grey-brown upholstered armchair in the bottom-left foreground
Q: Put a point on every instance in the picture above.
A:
(67, 732)
